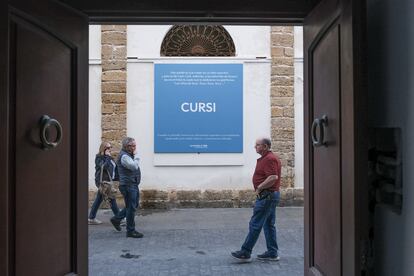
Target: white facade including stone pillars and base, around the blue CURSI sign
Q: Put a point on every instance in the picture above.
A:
(122, 100)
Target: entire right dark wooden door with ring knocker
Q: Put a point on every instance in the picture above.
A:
(333, 114)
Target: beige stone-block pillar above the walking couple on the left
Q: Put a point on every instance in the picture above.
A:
(114, 73)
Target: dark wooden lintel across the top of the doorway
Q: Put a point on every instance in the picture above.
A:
(231, 11)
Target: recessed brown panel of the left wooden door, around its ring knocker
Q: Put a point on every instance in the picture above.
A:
(43, 177)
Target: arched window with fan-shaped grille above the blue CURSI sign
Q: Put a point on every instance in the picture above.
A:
(197, 40)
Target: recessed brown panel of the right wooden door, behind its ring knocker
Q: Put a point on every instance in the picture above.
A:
(326, 202)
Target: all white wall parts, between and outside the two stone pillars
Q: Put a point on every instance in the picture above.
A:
(195, 171)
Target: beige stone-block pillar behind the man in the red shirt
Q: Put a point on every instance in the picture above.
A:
(282, 99)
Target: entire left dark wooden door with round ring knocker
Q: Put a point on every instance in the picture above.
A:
(46, 174)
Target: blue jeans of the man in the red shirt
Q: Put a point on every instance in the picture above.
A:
(264, 216)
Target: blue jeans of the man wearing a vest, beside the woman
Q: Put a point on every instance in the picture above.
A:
(131, 198)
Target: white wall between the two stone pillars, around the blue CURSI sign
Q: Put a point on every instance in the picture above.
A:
(188, 171)
